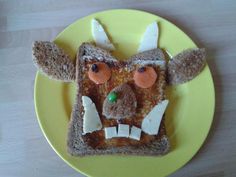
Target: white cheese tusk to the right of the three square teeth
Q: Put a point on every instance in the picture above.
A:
(151, 122)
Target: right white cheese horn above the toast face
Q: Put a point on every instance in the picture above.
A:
(150, 38)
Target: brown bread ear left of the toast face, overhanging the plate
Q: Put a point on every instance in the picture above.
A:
(53, 61)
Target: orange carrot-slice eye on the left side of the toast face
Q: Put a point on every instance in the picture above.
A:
(99, 73)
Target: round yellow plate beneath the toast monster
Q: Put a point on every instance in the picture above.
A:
(188, 118)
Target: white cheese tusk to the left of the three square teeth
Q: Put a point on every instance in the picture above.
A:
(91, 119)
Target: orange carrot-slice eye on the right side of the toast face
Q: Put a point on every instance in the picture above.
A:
(145, 77)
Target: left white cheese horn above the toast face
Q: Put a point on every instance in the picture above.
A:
(100, 36)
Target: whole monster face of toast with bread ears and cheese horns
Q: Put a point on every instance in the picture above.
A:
(120, 105)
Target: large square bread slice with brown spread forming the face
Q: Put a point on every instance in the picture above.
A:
(94, 143)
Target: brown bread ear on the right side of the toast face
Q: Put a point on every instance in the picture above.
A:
(185, 66)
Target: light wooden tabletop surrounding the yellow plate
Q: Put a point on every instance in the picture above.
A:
(24, 152)
